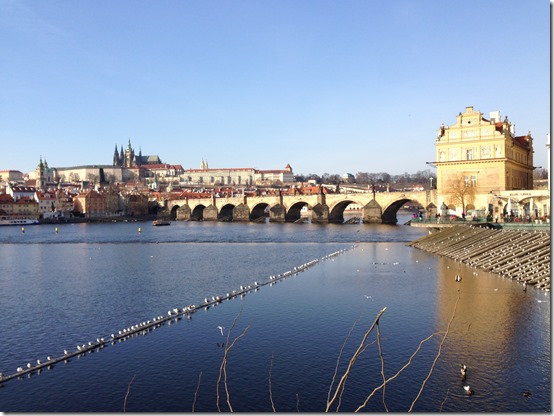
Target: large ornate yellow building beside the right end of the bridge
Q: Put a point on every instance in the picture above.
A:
(479, 159)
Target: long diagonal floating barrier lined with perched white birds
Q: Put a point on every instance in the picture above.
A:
(144, 327)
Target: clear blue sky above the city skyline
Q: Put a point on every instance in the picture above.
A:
(327, 86)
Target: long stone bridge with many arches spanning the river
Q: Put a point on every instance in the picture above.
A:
(377, 207)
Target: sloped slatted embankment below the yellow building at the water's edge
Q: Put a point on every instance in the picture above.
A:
(517, 254)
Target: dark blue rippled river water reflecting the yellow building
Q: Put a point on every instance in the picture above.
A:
(61, 289)
